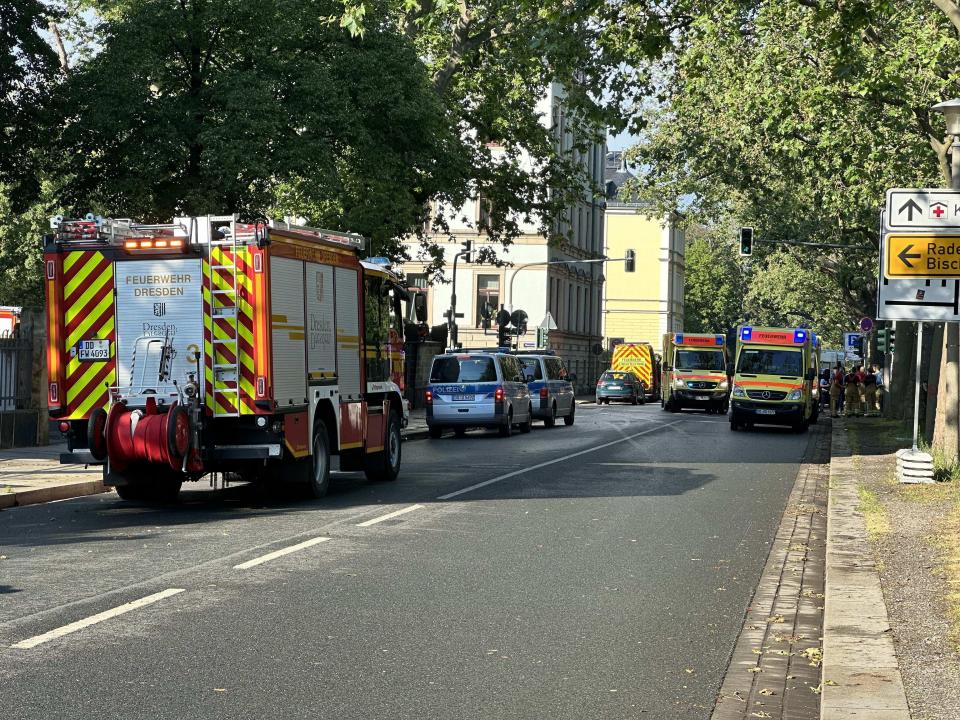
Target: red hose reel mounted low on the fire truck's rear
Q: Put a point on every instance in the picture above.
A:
(146, 436)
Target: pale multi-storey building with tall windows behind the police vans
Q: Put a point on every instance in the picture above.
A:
(542, 276)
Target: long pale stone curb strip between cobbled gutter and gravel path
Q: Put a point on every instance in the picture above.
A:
(860, 669)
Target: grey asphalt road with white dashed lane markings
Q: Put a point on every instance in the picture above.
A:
(597, 571)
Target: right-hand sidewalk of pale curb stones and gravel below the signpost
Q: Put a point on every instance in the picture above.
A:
(892, 640)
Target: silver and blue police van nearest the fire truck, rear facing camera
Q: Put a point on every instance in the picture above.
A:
(477, 389)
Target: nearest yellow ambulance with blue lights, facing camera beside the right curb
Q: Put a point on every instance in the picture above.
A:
(774, 377)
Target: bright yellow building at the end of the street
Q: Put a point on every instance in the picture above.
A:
(645, 304)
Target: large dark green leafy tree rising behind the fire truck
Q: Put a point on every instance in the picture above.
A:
(257, 107)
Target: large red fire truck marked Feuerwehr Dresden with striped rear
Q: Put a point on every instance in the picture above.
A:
(212, 345)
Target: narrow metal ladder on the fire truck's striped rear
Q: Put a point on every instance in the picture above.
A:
(224, 304)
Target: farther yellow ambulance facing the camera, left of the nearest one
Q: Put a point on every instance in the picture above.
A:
(694, 372)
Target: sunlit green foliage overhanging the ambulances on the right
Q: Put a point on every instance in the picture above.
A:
(794, 118)
